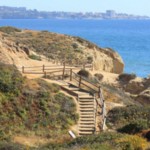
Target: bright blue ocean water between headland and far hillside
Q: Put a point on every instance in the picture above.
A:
(130, 38)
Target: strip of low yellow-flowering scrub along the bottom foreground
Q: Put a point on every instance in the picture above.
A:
(103, 141)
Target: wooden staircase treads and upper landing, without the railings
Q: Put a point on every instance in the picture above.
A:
(86, 108)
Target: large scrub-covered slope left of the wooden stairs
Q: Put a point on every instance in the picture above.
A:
(33, 107)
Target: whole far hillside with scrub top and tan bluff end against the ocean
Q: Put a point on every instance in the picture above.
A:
(58, 46)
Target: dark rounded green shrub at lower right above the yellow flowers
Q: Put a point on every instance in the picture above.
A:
(134, 127)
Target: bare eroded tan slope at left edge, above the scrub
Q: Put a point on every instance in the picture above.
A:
(13, 53)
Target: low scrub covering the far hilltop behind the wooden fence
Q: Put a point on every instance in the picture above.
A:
(52, 45)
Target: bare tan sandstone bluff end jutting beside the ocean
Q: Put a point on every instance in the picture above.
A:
(104, 59)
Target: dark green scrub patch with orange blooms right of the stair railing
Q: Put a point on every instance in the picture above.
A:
(129, 119)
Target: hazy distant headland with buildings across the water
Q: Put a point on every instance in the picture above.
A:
(7, 12)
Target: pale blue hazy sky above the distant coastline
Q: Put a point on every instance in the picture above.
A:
(137, 7)
